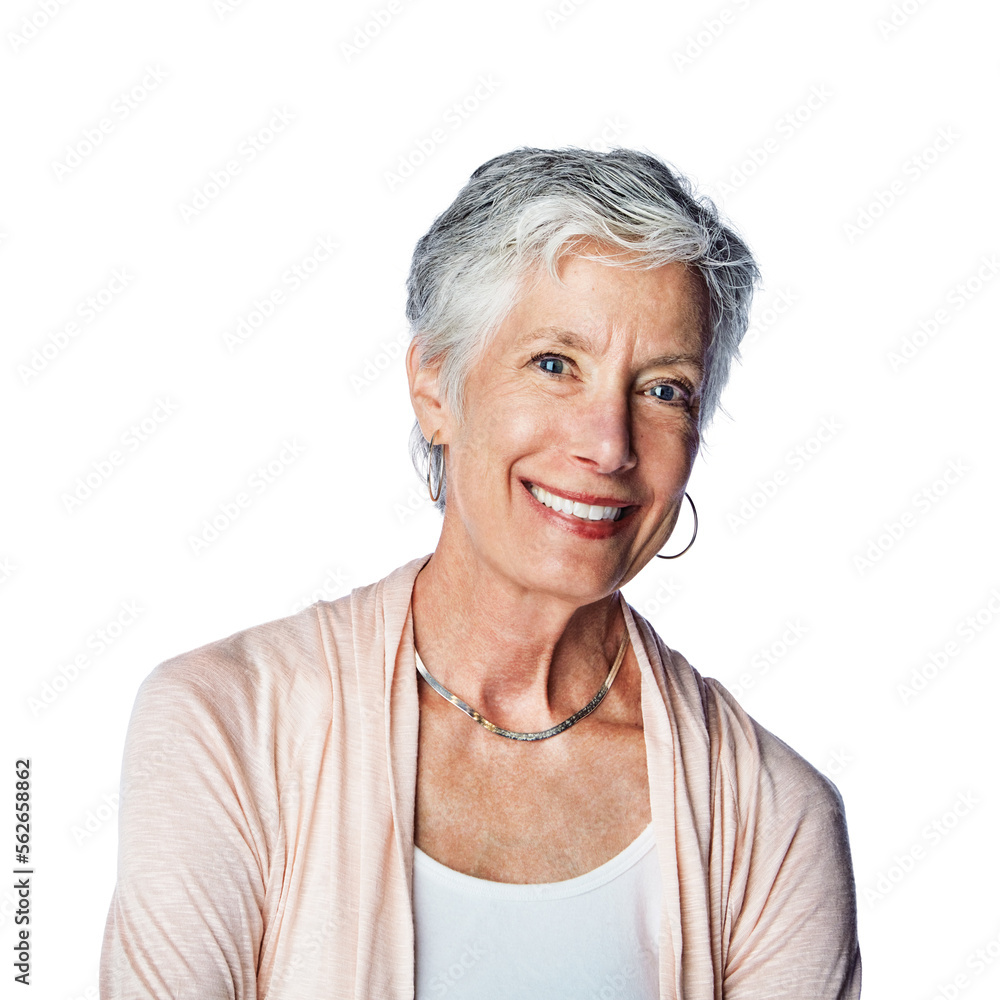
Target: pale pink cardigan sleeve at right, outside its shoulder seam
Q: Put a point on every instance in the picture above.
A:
(791, 874)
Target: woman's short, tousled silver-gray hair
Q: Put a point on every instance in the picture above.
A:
(524, 210)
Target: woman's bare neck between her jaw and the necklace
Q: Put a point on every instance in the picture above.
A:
(525, 659)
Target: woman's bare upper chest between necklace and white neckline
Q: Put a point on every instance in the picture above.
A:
(527, 812)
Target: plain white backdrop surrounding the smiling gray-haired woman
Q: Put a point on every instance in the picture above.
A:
(802, 120)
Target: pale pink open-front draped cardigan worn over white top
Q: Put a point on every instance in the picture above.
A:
(266, 824)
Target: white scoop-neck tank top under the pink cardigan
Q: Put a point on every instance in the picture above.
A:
(593, 937)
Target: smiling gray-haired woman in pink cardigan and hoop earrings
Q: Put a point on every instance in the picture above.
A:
(486, 775)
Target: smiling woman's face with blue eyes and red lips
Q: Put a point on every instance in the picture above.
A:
(591, 391)
